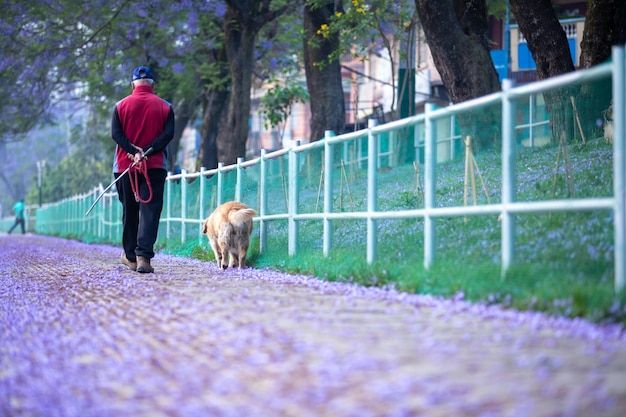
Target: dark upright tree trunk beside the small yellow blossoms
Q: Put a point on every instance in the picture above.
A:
(323, 81)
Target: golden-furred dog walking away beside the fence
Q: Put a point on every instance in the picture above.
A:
(228, 229)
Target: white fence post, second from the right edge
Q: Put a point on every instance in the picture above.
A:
(508, 176)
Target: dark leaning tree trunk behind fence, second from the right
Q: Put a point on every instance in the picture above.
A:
(548, 44)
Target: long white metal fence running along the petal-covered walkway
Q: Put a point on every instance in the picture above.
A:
(104, 223)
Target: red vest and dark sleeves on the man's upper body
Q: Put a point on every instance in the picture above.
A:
(145, 120)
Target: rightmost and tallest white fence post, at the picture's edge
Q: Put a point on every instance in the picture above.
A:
(619, 166)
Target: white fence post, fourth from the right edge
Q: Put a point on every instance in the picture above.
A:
(372, 190)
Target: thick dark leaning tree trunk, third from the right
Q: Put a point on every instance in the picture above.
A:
(456, 32)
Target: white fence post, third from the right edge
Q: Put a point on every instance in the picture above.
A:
(430, 185)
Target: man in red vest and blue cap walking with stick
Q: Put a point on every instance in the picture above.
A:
(141, 121)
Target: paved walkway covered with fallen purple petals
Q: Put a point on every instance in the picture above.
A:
(82, 336)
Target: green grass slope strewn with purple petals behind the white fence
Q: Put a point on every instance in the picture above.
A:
(563, 264)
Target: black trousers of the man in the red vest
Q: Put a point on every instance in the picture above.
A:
(141, 220)
